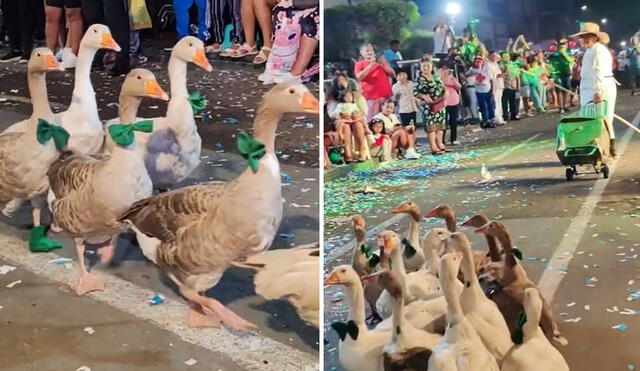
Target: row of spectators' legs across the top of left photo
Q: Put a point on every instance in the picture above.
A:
(288, 31)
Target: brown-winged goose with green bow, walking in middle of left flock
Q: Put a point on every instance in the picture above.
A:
(87, 200)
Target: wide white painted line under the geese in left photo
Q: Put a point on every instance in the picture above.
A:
(248, 350)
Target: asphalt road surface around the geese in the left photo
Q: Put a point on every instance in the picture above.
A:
(41, 320)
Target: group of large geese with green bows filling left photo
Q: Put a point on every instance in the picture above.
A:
(98, 180)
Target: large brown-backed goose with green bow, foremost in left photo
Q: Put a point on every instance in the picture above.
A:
(195, 233)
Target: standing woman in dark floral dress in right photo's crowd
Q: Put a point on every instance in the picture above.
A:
(430, 91)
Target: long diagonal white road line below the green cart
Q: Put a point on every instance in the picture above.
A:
(556, 269)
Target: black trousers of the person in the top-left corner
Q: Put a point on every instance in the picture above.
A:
(20, 18)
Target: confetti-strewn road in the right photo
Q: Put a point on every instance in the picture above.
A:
(589, 225)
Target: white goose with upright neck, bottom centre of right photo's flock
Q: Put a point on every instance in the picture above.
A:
(461, 349)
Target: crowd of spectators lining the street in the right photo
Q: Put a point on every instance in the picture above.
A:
(460, 83)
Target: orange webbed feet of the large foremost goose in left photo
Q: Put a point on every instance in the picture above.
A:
(213, 309)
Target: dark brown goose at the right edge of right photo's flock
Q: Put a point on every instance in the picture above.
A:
(514, 282)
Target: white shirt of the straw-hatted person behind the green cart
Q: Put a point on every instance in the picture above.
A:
(597, 69)
